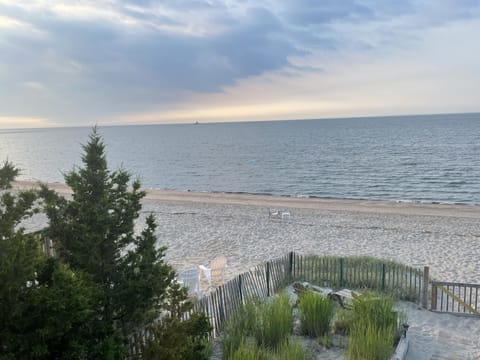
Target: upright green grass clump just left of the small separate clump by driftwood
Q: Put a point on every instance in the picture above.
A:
(274, 322)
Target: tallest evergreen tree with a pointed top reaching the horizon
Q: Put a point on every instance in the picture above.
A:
(94, 232)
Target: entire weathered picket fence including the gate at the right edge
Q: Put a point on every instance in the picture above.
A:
(403, 282)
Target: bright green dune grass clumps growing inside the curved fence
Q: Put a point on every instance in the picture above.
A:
(262, 330)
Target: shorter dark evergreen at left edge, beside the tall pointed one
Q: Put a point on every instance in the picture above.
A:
(44, 306)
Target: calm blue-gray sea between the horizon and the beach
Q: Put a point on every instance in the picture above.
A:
(414, 158)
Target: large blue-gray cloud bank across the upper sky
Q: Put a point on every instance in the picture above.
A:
(79, 68)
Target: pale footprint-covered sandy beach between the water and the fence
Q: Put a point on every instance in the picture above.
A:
(196, 227)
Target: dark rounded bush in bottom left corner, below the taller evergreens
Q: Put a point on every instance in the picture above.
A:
(50, 320)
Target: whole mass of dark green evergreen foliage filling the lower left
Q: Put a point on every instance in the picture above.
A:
(106, 282)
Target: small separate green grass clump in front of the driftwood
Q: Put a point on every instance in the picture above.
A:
(316, 312)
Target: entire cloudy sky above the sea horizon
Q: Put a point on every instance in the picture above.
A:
(109, 62)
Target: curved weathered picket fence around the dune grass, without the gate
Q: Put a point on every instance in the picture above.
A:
(268, 278)
